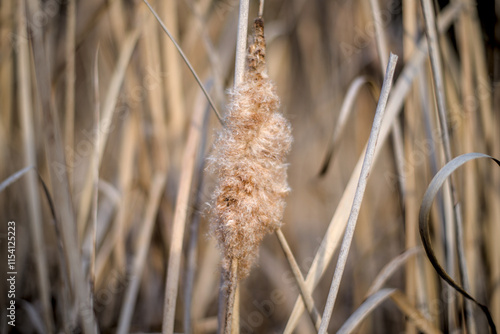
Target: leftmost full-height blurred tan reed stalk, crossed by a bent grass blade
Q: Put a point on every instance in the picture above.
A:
(25, 104)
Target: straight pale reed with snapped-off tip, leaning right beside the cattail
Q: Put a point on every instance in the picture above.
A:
(358, 197)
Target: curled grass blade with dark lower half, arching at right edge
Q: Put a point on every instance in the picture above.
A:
(436, 183)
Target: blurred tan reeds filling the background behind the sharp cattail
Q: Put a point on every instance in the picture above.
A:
(64, 64)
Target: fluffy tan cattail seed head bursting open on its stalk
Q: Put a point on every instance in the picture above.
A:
(248, 161)
